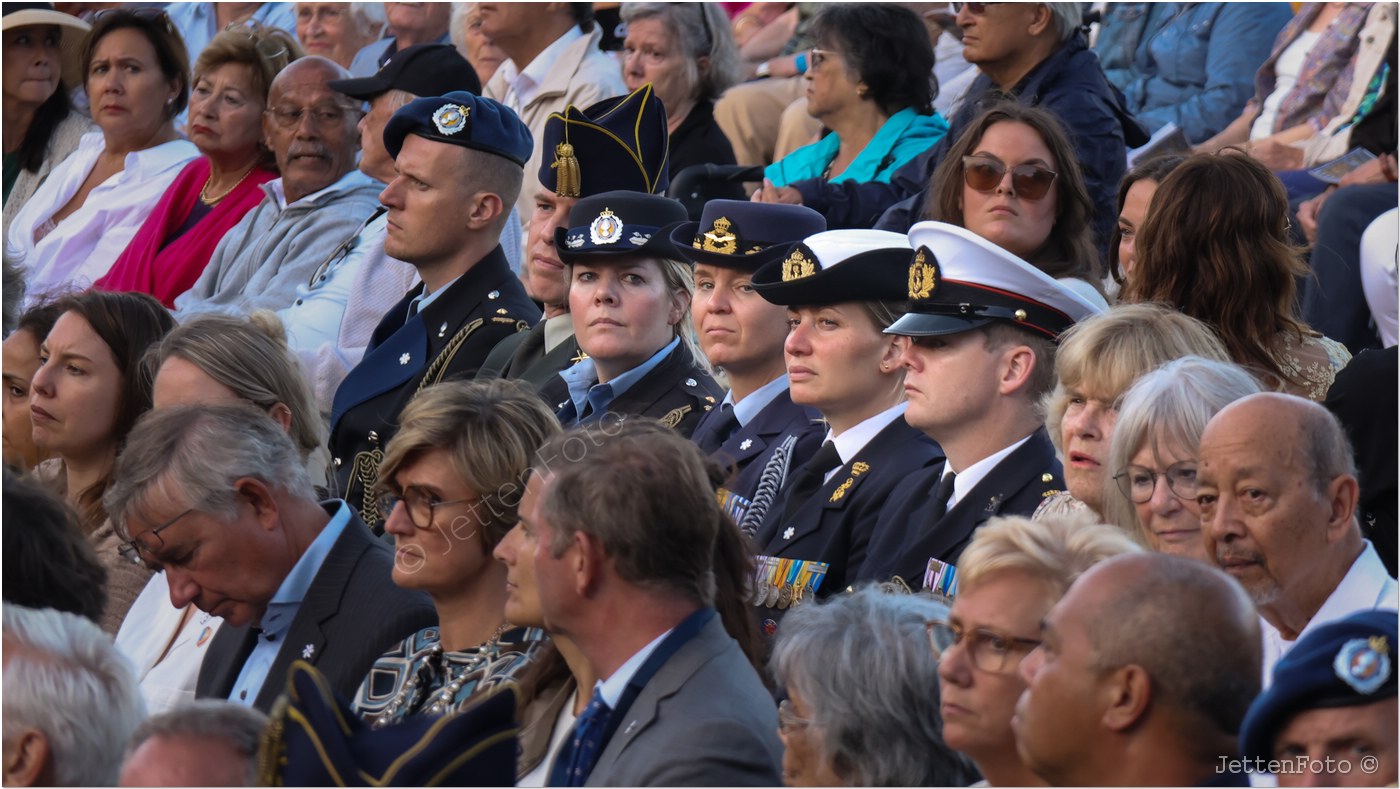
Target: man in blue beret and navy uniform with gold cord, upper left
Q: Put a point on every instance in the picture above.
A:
(460, 163)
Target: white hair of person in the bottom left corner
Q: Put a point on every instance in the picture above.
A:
(66, 679)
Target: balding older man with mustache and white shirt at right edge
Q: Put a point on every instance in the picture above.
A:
(1277, 492)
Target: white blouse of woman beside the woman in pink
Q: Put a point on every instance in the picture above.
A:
(86, 244)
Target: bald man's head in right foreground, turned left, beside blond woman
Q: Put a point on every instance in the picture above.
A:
(1144, 674)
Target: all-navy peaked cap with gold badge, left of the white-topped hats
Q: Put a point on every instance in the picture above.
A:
(741, 234)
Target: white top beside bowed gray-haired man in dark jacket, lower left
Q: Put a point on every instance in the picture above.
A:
(149, 629)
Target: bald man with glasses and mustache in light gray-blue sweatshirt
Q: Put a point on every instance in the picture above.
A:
(318, 202)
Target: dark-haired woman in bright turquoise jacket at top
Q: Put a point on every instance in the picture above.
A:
(870, 82)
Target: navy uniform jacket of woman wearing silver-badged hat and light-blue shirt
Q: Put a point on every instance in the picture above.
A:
(678, 392)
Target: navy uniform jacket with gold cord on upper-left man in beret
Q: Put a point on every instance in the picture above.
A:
(446, 341)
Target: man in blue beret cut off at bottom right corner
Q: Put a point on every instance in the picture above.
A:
(1331, 716)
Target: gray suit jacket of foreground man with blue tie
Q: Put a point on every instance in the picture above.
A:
(705, 720)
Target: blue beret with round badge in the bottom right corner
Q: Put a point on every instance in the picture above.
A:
(1349, 662)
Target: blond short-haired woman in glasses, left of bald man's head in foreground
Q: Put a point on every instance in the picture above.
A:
(1013, 573)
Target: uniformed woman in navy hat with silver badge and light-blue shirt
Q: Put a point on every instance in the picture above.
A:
(629, 297)
